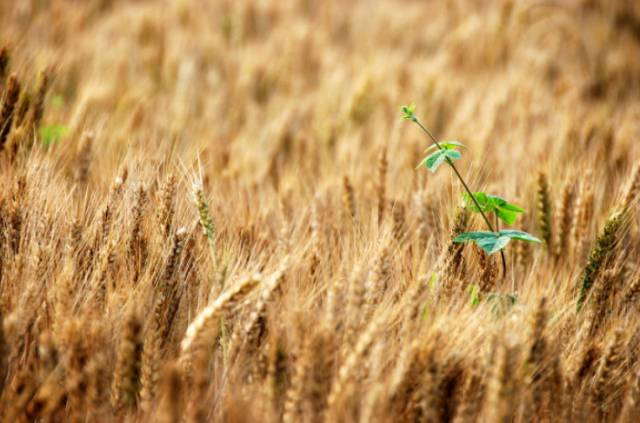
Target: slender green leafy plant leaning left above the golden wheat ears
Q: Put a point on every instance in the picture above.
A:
(491, 241)
